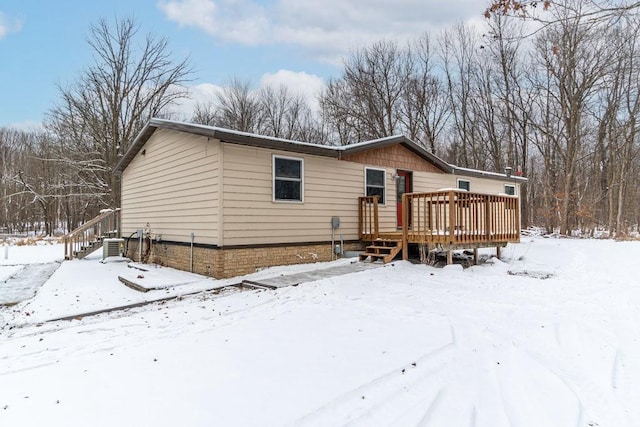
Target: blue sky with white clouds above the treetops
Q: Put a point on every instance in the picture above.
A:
(300, 43)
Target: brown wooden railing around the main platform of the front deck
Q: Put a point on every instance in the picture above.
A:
(459, 217)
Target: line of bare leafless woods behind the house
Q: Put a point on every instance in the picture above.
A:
(558, 104)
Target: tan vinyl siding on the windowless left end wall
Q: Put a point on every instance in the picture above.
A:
(174, 188)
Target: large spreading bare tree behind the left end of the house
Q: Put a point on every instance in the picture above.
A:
(129, 82)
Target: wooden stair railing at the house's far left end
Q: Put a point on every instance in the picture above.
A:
(107, 224)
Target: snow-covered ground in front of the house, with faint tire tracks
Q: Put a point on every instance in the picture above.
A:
(549, 336)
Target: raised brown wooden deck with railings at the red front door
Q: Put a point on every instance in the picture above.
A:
(446, 220)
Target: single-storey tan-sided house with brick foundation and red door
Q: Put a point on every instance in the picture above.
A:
(224, 203)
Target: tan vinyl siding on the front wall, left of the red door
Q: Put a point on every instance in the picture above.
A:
(331, 188)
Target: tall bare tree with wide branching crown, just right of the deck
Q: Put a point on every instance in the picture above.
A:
(576, 55)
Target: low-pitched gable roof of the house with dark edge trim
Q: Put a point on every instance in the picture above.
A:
(253, 140)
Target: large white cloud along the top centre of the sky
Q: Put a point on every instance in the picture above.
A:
(327, 29)
